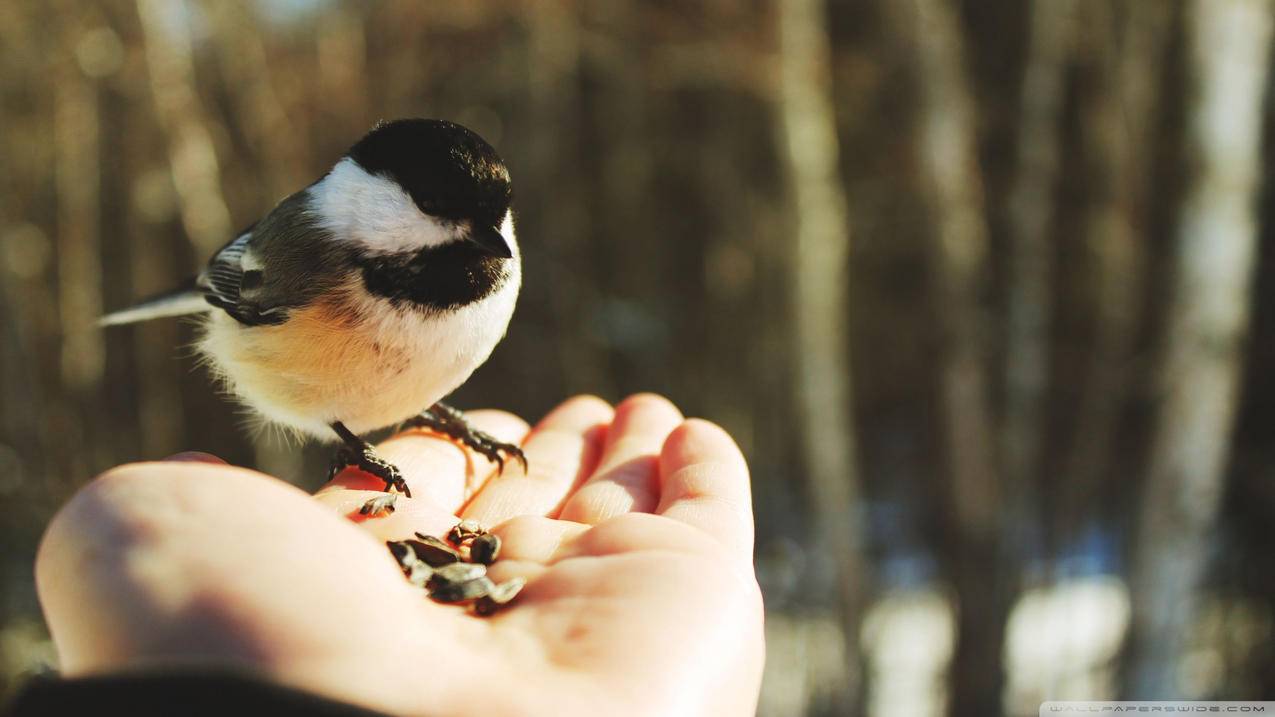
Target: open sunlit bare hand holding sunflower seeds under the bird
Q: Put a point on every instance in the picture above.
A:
(634, 530)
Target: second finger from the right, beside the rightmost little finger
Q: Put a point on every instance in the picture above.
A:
(627, 480)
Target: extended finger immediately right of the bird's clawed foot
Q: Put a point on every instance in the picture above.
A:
(562, 452)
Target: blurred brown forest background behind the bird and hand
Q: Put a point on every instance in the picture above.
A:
(985, 290)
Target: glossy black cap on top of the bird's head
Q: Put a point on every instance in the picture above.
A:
(448, 170)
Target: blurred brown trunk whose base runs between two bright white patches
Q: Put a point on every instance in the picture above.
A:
(948, 155)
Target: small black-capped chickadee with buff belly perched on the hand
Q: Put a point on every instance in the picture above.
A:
(365, 299)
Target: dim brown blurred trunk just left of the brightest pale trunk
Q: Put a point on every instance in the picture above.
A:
(1118, 141)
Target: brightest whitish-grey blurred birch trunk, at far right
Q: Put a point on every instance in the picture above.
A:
(1208, 323)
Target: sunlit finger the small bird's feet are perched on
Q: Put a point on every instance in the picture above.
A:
(437, 469)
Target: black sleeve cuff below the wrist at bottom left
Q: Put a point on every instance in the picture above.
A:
(188, 693)
